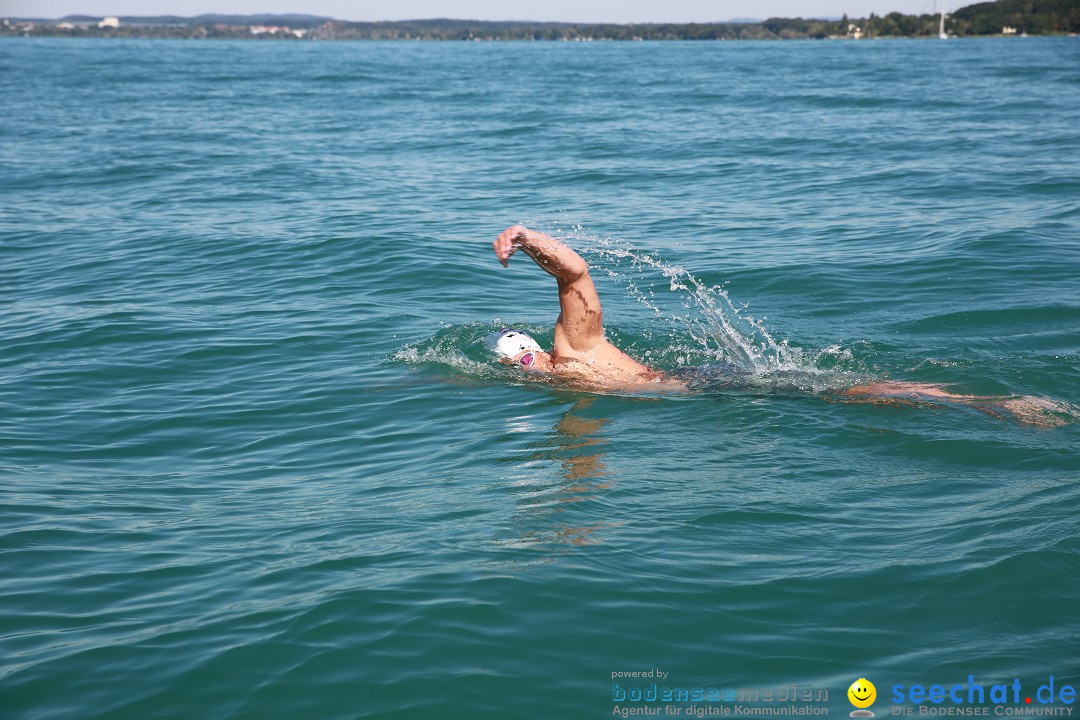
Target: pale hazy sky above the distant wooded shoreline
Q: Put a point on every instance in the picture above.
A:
(582, 11)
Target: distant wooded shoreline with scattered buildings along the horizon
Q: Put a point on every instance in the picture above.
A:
(1002, 19)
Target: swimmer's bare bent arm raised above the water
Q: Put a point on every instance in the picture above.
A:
(580, 320)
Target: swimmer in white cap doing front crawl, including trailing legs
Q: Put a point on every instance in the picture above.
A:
(583, 355)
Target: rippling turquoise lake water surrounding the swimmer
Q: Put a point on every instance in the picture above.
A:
(255, 463)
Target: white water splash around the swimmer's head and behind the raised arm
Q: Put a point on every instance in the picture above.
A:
(692, 327)
